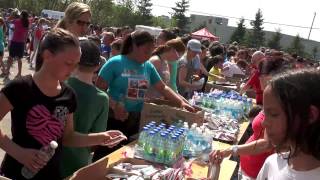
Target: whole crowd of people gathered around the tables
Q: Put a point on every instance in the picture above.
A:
(90, 83)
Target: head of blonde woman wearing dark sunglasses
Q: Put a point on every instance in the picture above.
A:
(77, 19)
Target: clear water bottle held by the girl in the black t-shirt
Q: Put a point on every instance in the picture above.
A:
(49, 151)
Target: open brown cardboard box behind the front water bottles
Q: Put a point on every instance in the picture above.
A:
(168, 113)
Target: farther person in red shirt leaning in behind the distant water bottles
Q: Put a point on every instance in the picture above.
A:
(254, 82)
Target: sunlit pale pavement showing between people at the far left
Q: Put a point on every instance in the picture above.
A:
(5, 123)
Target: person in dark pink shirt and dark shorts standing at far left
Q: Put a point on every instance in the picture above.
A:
(17, 45)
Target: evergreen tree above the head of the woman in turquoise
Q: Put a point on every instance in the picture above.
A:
(144, 8)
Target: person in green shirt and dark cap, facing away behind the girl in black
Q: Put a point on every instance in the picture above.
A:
(92, 108)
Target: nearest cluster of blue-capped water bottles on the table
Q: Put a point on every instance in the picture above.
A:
(167, 144)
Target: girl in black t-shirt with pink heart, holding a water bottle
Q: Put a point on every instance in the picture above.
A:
(42, 109)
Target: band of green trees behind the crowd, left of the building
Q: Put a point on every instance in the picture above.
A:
(104, 12)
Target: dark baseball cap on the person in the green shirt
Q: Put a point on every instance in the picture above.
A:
(90, 53)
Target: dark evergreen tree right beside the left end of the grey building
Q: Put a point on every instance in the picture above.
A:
(179, 18)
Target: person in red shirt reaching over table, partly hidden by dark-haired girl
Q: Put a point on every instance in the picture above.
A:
(257, 148)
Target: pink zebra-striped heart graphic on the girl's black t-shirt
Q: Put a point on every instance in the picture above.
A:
(43, 125)
